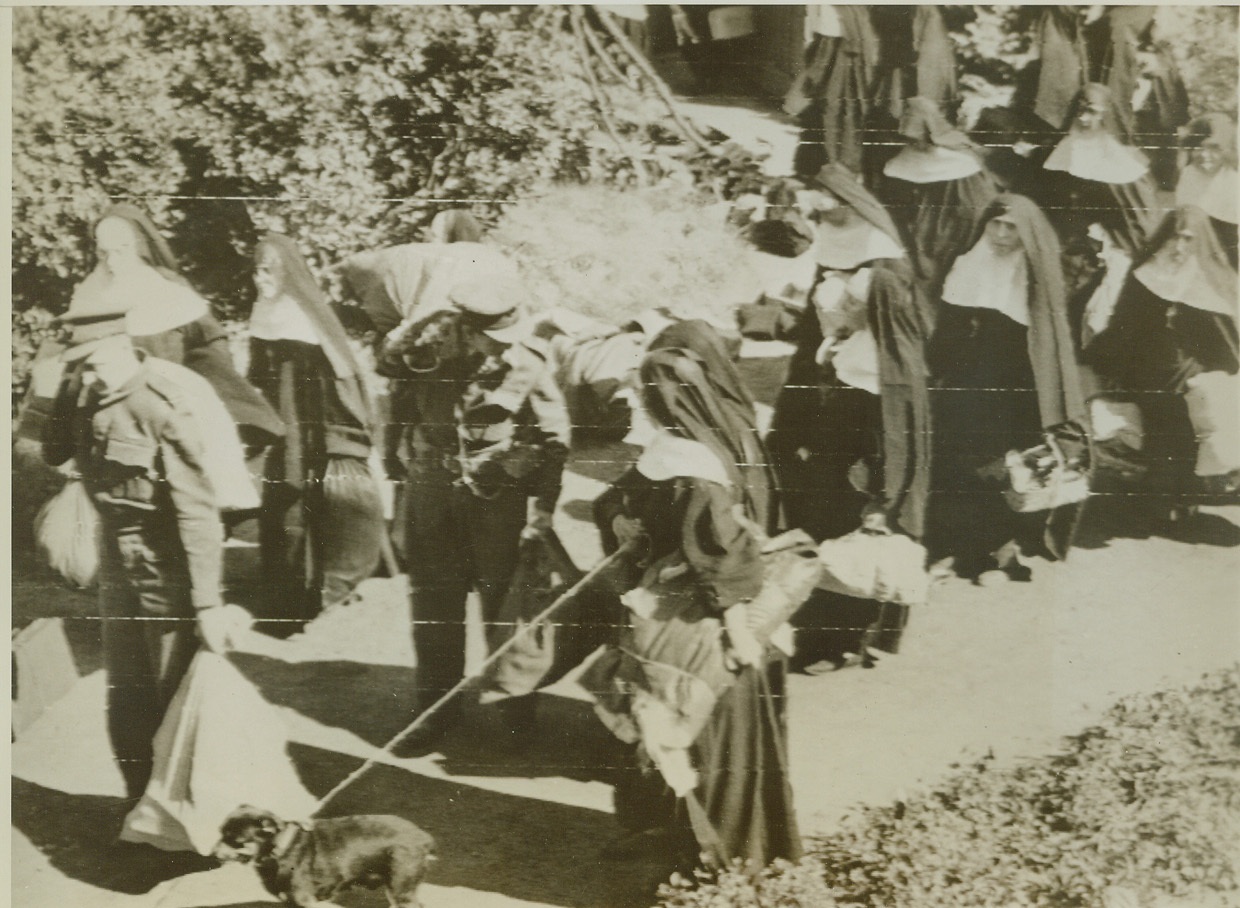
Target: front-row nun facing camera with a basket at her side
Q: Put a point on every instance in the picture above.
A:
(1005, 370)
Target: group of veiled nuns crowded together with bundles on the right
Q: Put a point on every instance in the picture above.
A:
(974, 296)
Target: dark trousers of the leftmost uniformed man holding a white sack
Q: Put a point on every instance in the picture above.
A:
(149, 639)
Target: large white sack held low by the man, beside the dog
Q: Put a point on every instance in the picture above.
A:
(221, 746)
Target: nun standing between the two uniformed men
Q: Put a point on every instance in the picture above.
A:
(321, 530)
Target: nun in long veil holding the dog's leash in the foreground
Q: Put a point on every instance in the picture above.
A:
(702, 493)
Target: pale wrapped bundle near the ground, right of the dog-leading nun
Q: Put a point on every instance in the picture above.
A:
(885, 567)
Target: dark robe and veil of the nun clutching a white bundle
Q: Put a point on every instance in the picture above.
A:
(857, 451)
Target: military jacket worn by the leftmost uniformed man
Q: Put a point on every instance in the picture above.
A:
(139, 452)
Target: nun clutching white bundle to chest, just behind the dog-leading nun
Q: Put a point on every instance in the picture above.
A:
(851, 427)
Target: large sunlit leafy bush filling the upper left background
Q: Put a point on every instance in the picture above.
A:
(338, 126)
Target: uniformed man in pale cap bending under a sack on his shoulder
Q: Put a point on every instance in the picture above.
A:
(485, 430)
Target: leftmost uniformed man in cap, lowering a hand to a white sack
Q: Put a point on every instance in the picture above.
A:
(139, 453)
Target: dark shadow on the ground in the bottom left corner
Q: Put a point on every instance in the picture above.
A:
(79, 835)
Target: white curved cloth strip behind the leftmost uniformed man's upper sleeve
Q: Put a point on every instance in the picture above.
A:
(224, 458)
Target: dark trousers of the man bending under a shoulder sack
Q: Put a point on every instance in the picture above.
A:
(456, 543)
